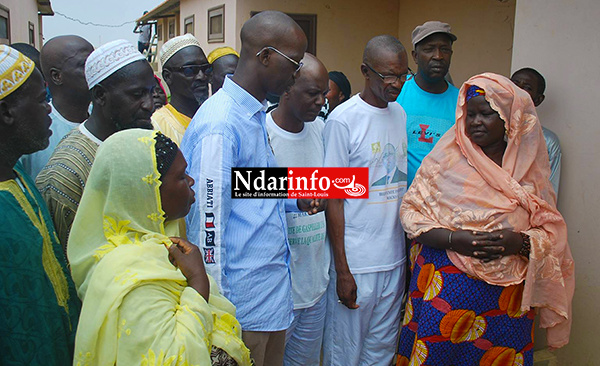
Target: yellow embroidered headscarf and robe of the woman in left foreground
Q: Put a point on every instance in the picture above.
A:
(137, 308)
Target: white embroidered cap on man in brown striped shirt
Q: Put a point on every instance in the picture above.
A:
(108, 59)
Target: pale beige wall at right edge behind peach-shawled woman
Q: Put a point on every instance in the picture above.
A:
(552, 36)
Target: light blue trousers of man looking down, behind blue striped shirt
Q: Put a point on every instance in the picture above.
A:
(304, 337)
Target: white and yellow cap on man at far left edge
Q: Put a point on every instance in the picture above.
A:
(15, 69)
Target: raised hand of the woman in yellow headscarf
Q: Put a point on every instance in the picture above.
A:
(187, 257)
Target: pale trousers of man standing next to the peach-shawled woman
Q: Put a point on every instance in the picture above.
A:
(367, 335)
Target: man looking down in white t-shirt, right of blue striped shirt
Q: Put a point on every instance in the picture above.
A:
(299, 144)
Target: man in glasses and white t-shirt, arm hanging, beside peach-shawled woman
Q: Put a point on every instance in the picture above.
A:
(367, 240)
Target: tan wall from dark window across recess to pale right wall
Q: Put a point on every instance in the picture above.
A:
(342, 30)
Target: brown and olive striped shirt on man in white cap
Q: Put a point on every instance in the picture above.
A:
(62, 180)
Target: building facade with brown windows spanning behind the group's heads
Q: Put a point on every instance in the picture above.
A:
(338, 30)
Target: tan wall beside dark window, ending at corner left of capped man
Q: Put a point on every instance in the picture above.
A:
(342, 31)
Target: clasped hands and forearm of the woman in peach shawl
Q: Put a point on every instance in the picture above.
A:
(486, 246)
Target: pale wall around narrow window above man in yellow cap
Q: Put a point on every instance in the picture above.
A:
(200, 11)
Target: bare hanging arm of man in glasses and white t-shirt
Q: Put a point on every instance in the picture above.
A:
(346, 286)
